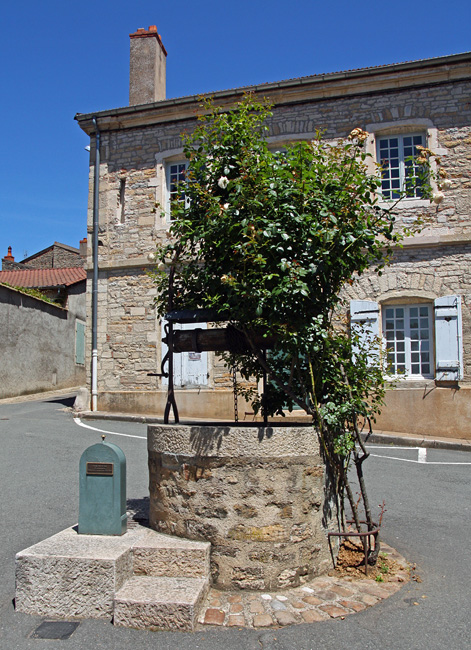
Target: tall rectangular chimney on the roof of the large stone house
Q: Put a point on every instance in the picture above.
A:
(147, 70)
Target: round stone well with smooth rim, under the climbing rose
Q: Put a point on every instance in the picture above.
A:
(258, 494)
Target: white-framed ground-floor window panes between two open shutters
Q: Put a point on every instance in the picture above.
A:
(408, 333)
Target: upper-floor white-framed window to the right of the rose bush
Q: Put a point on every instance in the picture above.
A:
(399, 171)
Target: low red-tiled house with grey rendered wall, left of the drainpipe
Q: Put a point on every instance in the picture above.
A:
(42, 325)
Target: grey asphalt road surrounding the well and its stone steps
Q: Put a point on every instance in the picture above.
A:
(427, 497)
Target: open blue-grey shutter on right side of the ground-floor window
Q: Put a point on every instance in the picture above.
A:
(448, 339)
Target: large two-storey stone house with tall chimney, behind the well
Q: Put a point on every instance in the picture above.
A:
(421, 302)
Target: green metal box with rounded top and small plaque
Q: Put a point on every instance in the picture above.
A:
(102, 503)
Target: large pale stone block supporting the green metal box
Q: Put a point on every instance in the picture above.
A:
(74, 575)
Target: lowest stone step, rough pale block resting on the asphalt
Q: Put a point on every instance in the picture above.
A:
(159, 603)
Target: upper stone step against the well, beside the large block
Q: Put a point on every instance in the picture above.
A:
(162, 555)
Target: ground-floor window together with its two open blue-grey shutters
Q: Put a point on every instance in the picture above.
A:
(422, 340)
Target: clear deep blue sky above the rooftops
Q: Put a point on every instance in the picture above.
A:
(60, 58)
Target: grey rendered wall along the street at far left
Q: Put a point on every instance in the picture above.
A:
(37, 343)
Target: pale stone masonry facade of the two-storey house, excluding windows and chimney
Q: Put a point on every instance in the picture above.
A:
(431, 97)
